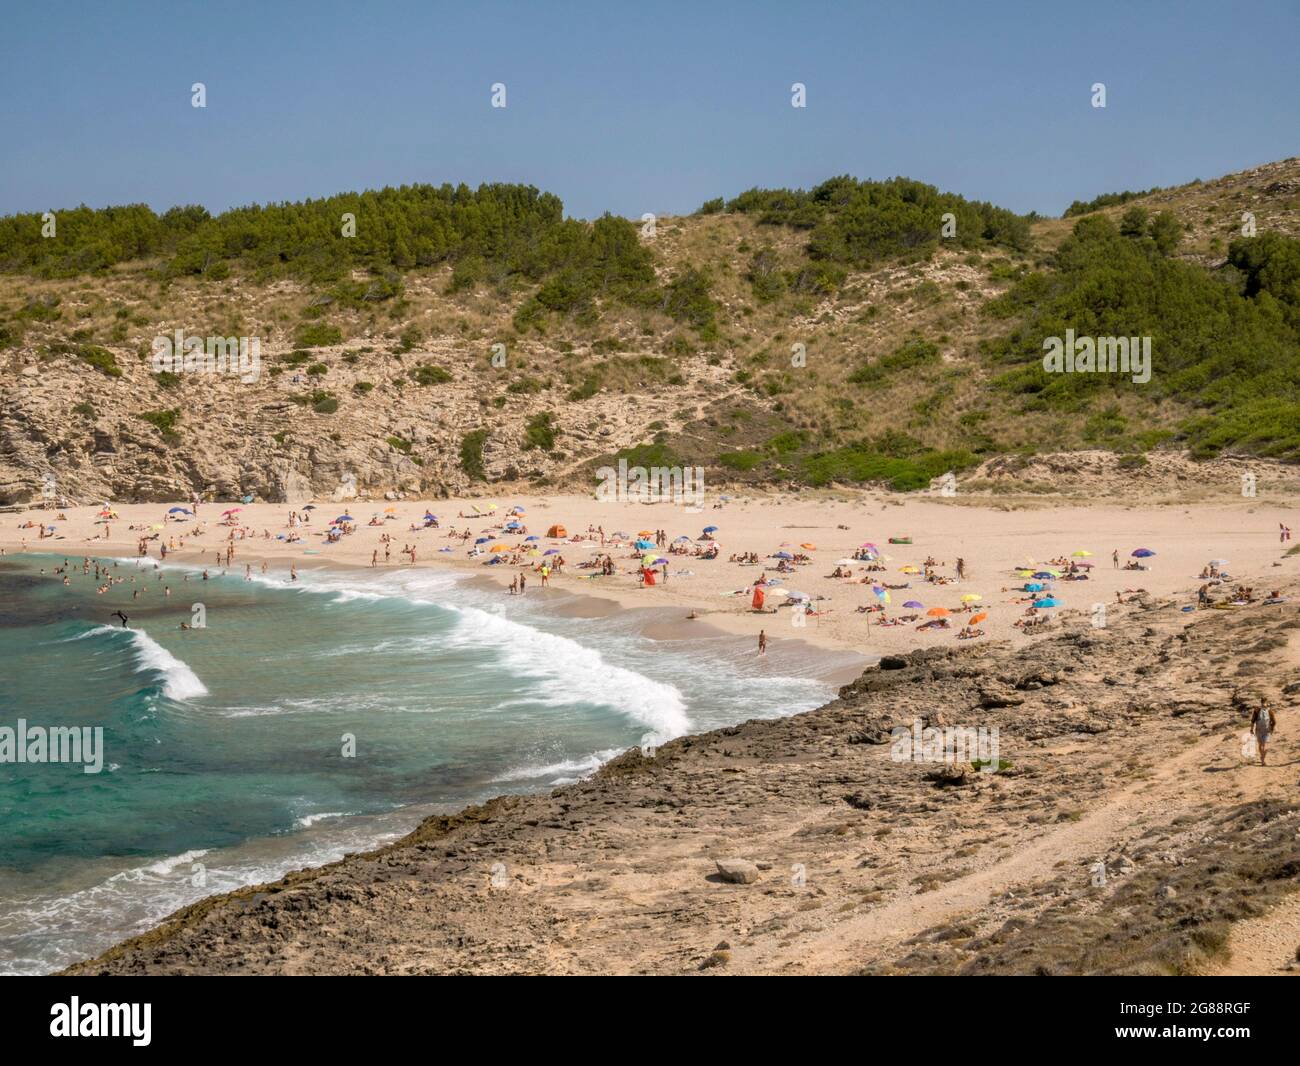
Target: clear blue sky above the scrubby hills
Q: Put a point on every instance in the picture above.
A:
(636, 107)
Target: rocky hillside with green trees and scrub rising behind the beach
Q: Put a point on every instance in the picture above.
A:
(437, 336)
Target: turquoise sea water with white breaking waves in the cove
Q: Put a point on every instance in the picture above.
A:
(226, 757)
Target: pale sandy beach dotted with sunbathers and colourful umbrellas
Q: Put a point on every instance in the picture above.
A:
(998, 544)
